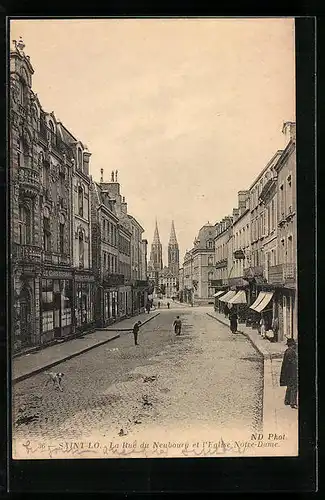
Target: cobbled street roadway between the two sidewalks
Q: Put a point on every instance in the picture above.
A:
(205, 382)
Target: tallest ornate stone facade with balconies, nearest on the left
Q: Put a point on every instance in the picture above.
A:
(46, 164)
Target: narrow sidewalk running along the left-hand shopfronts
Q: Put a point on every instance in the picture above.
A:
(30, 364)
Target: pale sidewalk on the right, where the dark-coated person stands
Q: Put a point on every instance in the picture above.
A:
(277, 418)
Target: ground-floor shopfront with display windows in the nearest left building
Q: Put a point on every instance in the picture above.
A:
(49, 305)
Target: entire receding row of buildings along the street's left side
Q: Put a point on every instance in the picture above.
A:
(78, 258)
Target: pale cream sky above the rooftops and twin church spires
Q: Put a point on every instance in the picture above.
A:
(189, 111)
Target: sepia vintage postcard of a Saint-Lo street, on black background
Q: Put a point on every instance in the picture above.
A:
(153, 238)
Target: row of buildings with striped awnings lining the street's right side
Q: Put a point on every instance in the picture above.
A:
(248, 259)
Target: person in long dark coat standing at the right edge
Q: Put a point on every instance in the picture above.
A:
(289, 374)
